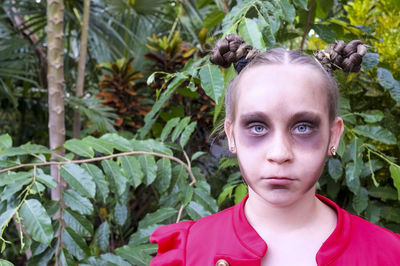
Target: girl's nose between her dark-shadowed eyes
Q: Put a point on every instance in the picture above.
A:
(280, 149)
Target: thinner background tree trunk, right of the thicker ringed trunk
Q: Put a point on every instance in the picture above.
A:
(81, 67)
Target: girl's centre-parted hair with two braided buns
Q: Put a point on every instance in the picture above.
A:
(234, 50)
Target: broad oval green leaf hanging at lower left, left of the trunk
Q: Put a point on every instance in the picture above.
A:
(36, 221)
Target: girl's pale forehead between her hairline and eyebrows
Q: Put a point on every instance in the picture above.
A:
(276, 88)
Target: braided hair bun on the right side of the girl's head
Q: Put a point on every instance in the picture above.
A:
(339, 55)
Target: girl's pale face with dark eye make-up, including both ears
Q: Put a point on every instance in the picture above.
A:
(281, 132)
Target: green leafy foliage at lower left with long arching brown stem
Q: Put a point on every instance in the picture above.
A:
(104, 186)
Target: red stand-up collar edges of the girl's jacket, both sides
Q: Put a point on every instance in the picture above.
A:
(329, 251)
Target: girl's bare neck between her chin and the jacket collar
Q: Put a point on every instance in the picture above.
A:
(301, 214)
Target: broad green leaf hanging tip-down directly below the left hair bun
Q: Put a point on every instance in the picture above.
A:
(212, 81)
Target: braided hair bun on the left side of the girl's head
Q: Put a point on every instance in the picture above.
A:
(231, 50)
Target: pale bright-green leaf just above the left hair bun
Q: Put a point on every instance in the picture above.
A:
(249, 31)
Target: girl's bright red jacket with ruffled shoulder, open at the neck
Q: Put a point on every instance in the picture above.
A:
(228, 235)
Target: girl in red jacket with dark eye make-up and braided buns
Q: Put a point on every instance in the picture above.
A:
(281, 121)
